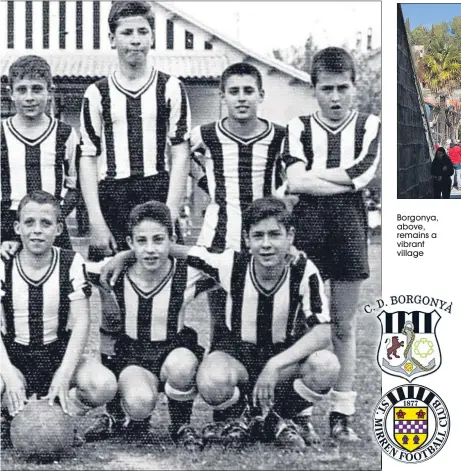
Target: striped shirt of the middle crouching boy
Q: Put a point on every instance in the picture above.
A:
(156, 315)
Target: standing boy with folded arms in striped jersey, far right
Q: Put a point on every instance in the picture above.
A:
(331, 156)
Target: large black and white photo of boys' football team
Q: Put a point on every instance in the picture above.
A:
(190, 227)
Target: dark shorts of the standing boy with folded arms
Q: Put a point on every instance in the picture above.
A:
(333, 231)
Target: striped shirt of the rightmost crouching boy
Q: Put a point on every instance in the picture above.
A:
(260, 316)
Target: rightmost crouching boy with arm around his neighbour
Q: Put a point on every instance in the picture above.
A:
(271, 351)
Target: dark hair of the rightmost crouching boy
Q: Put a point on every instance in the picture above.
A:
(265, 208)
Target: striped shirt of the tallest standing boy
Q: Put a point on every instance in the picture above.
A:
(129, 130)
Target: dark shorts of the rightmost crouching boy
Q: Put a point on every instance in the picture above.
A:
(251, 356)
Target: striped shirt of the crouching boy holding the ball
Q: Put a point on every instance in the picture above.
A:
(36, 312)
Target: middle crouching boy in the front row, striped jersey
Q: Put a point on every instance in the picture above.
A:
(154, 351)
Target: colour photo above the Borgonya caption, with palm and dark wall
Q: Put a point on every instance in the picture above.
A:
(429, 101)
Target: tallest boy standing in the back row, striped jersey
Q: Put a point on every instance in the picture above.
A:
(127, 122)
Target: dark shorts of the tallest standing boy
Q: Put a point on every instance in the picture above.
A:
(118, 197)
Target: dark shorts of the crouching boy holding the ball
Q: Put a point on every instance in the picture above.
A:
(37, 364)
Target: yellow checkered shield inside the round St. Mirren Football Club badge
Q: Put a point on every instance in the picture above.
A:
(410, 427)
